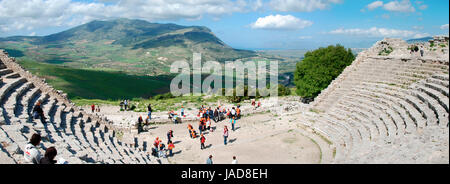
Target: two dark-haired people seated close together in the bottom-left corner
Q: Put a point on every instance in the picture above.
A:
(33, 155)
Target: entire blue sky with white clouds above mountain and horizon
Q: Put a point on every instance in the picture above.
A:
(247, 24)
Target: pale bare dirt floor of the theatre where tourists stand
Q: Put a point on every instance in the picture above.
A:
(262, 138)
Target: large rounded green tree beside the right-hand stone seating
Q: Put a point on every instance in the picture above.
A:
(319, 68)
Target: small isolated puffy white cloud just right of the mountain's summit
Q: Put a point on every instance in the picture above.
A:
(280, 22)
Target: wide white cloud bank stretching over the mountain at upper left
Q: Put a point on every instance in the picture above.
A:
(53, 13)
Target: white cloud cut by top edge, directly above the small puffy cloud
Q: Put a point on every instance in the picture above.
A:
(301, 5)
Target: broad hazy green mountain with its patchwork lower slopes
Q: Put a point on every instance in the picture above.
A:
(131, 46)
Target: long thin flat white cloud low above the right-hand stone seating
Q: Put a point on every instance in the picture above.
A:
(375, 32)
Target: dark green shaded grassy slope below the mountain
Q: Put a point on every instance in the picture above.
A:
(102, 85)
